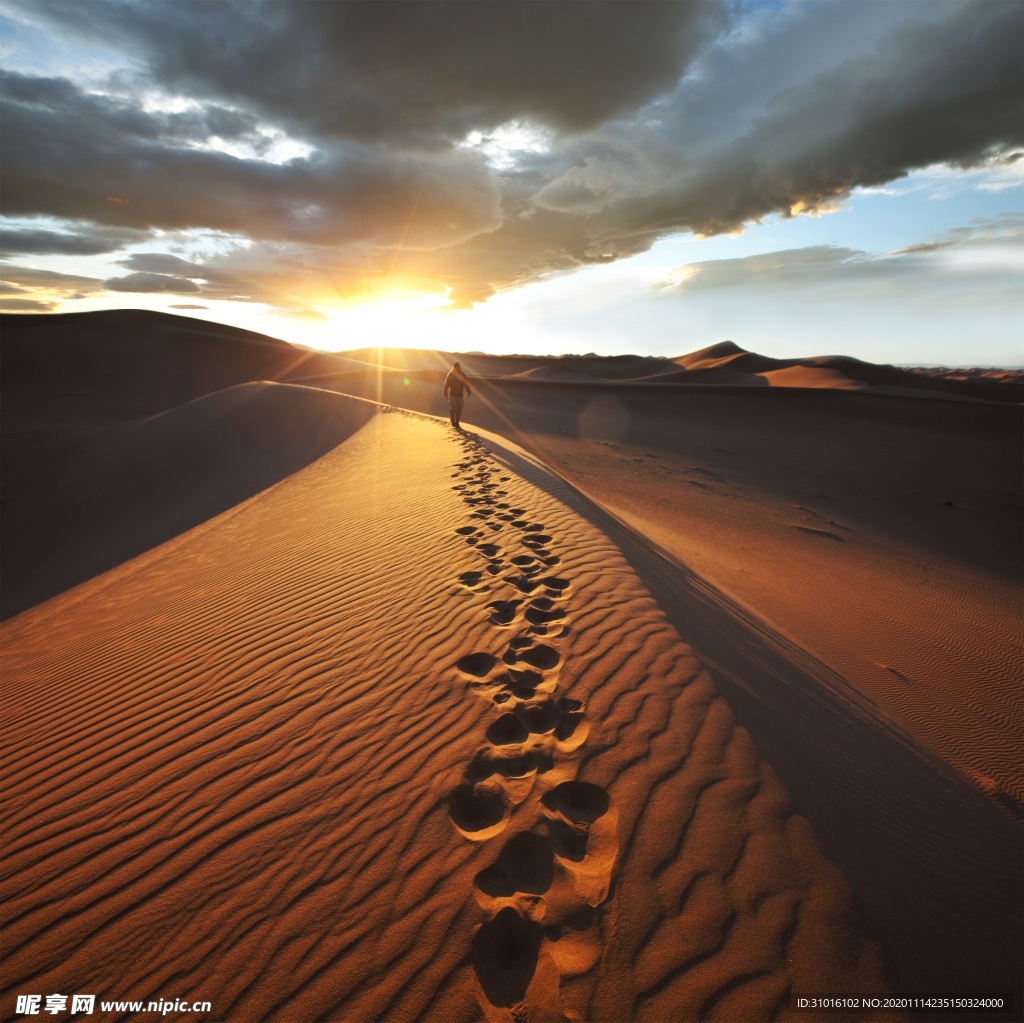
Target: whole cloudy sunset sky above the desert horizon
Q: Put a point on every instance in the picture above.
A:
(803, 178)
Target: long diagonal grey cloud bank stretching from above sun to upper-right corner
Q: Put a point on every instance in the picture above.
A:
(942, 91)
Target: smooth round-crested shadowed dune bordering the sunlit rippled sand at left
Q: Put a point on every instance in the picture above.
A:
(125, 489)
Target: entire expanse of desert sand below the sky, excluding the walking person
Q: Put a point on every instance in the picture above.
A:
(670, 690)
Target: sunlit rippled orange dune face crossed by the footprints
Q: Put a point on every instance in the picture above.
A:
(401, 738)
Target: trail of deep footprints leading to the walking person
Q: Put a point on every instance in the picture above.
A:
(542, 893)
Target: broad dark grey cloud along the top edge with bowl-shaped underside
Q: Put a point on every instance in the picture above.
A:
(407, 71)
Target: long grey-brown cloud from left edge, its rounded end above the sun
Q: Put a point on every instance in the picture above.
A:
(77, 158)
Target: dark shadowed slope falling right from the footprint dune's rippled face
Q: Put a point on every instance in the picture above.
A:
(936, 866)
